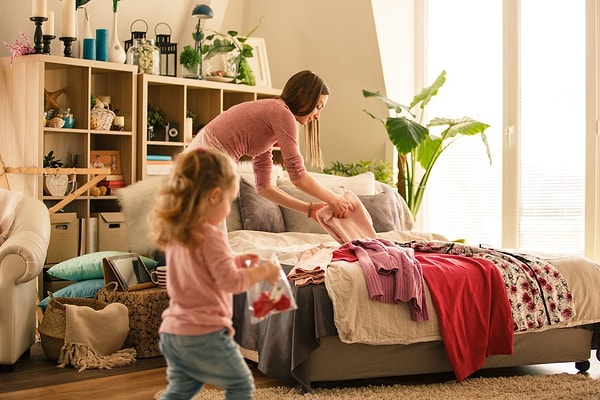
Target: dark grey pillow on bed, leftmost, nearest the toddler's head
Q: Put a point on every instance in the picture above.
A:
(257, 213)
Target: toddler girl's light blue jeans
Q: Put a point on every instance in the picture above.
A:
(214, 358)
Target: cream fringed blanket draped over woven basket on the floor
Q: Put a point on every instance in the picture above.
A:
(93, 338)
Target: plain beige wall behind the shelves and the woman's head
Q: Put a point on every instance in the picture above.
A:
(337, 40)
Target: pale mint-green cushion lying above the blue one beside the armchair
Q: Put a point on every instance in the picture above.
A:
(88, 266)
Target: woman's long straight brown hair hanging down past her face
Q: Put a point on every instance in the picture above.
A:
(301, 94)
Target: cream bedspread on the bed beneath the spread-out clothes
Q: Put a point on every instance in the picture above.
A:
(358, 319)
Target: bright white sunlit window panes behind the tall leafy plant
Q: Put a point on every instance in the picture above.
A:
(464, 197)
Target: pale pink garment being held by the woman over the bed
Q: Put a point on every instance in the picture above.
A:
(357, 224)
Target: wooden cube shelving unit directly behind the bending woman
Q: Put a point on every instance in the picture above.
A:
(175, 97)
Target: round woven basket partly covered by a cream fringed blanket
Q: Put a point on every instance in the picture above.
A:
(52, 327)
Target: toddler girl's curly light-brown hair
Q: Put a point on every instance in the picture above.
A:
(182, 200)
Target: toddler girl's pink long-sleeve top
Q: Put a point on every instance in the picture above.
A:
(201, 282)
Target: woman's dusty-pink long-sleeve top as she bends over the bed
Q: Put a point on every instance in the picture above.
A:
(252, 128)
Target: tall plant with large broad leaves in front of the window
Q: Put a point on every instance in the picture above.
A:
(416, 144)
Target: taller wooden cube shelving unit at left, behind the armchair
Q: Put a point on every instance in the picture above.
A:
(25, 140)
